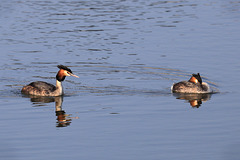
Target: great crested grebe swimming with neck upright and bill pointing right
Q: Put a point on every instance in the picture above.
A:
(40, 88)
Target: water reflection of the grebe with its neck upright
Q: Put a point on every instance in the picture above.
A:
(63, 119)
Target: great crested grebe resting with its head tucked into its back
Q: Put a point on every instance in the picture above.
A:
(193, 85)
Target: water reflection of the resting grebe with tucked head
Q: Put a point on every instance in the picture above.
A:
(194, 99)
